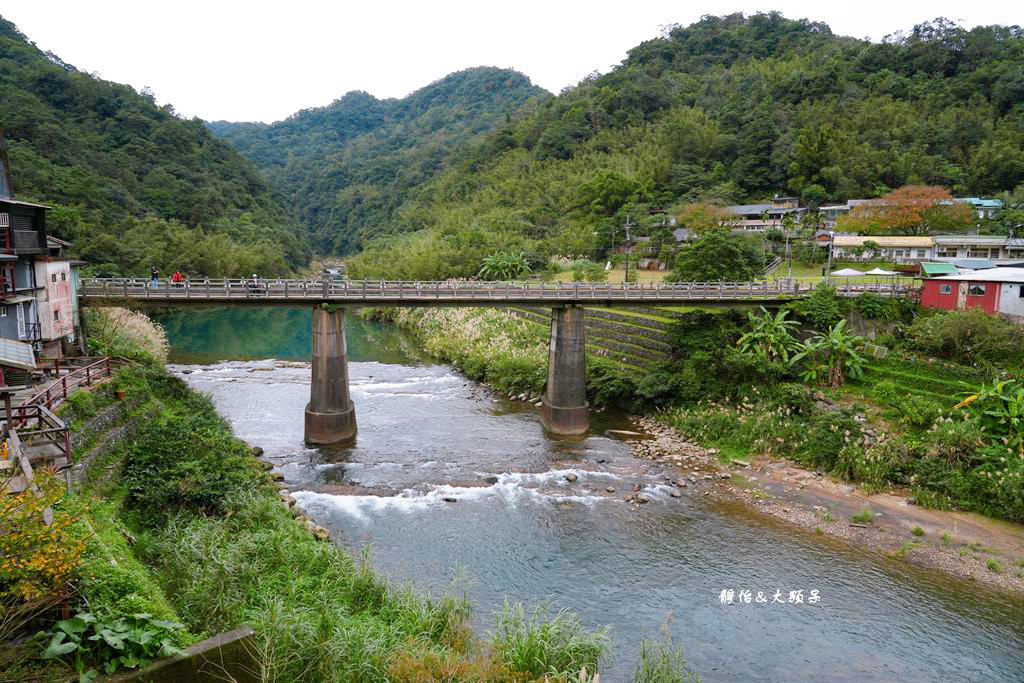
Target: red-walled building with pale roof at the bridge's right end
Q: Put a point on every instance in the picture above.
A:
(996, 291)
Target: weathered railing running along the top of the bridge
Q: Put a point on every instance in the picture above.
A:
(383, 291)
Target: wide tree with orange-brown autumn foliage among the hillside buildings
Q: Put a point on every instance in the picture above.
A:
(910, 210)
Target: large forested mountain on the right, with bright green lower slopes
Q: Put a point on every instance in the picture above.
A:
(727, 110)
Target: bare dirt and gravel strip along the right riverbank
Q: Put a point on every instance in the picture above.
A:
(965, 545)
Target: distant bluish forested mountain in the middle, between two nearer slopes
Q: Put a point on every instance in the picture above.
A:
(347, 167)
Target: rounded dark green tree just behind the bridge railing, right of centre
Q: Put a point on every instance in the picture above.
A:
(719, 255)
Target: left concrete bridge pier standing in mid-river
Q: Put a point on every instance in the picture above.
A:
(330, 416)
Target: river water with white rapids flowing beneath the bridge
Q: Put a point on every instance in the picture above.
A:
(520, 530)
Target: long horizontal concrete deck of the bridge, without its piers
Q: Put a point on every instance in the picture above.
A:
(112, 292)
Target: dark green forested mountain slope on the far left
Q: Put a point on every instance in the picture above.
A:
(133, 185)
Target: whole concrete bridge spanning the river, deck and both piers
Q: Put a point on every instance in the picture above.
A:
(330, 416)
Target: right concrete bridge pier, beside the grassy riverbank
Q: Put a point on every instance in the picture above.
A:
(565, 410)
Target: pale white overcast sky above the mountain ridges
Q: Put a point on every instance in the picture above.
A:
(263, 61)
